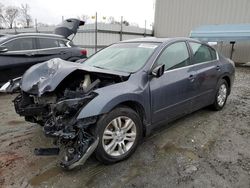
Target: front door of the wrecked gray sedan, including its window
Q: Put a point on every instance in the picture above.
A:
(171, 94)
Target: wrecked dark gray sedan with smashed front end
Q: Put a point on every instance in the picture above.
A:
(107, 104)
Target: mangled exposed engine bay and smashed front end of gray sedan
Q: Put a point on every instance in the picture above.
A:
(58, 112)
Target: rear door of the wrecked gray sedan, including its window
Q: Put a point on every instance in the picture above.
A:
(207, 66)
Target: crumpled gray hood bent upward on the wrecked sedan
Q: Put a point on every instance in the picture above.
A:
(45, 77)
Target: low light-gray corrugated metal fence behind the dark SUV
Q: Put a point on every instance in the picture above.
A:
(106, 35)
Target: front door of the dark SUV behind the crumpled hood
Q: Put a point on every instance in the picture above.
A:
(20, 56)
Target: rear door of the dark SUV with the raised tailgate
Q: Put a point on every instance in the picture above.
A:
(49, 48)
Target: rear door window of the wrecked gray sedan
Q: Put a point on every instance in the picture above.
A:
(201, 52)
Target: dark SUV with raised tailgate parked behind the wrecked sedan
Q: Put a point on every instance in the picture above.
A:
(21, 51)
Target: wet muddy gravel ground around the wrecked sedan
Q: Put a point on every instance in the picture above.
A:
(203, 149)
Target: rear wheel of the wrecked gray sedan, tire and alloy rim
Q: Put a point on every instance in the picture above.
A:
(222, 92)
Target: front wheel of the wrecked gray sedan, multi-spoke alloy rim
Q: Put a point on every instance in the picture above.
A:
(118, 144)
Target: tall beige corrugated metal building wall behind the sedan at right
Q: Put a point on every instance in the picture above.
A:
(178, 17)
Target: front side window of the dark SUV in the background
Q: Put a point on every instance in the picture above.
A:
(20, 44)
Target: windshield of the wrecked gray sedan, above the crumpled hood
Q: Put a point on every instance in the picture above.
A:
(124, 57)
